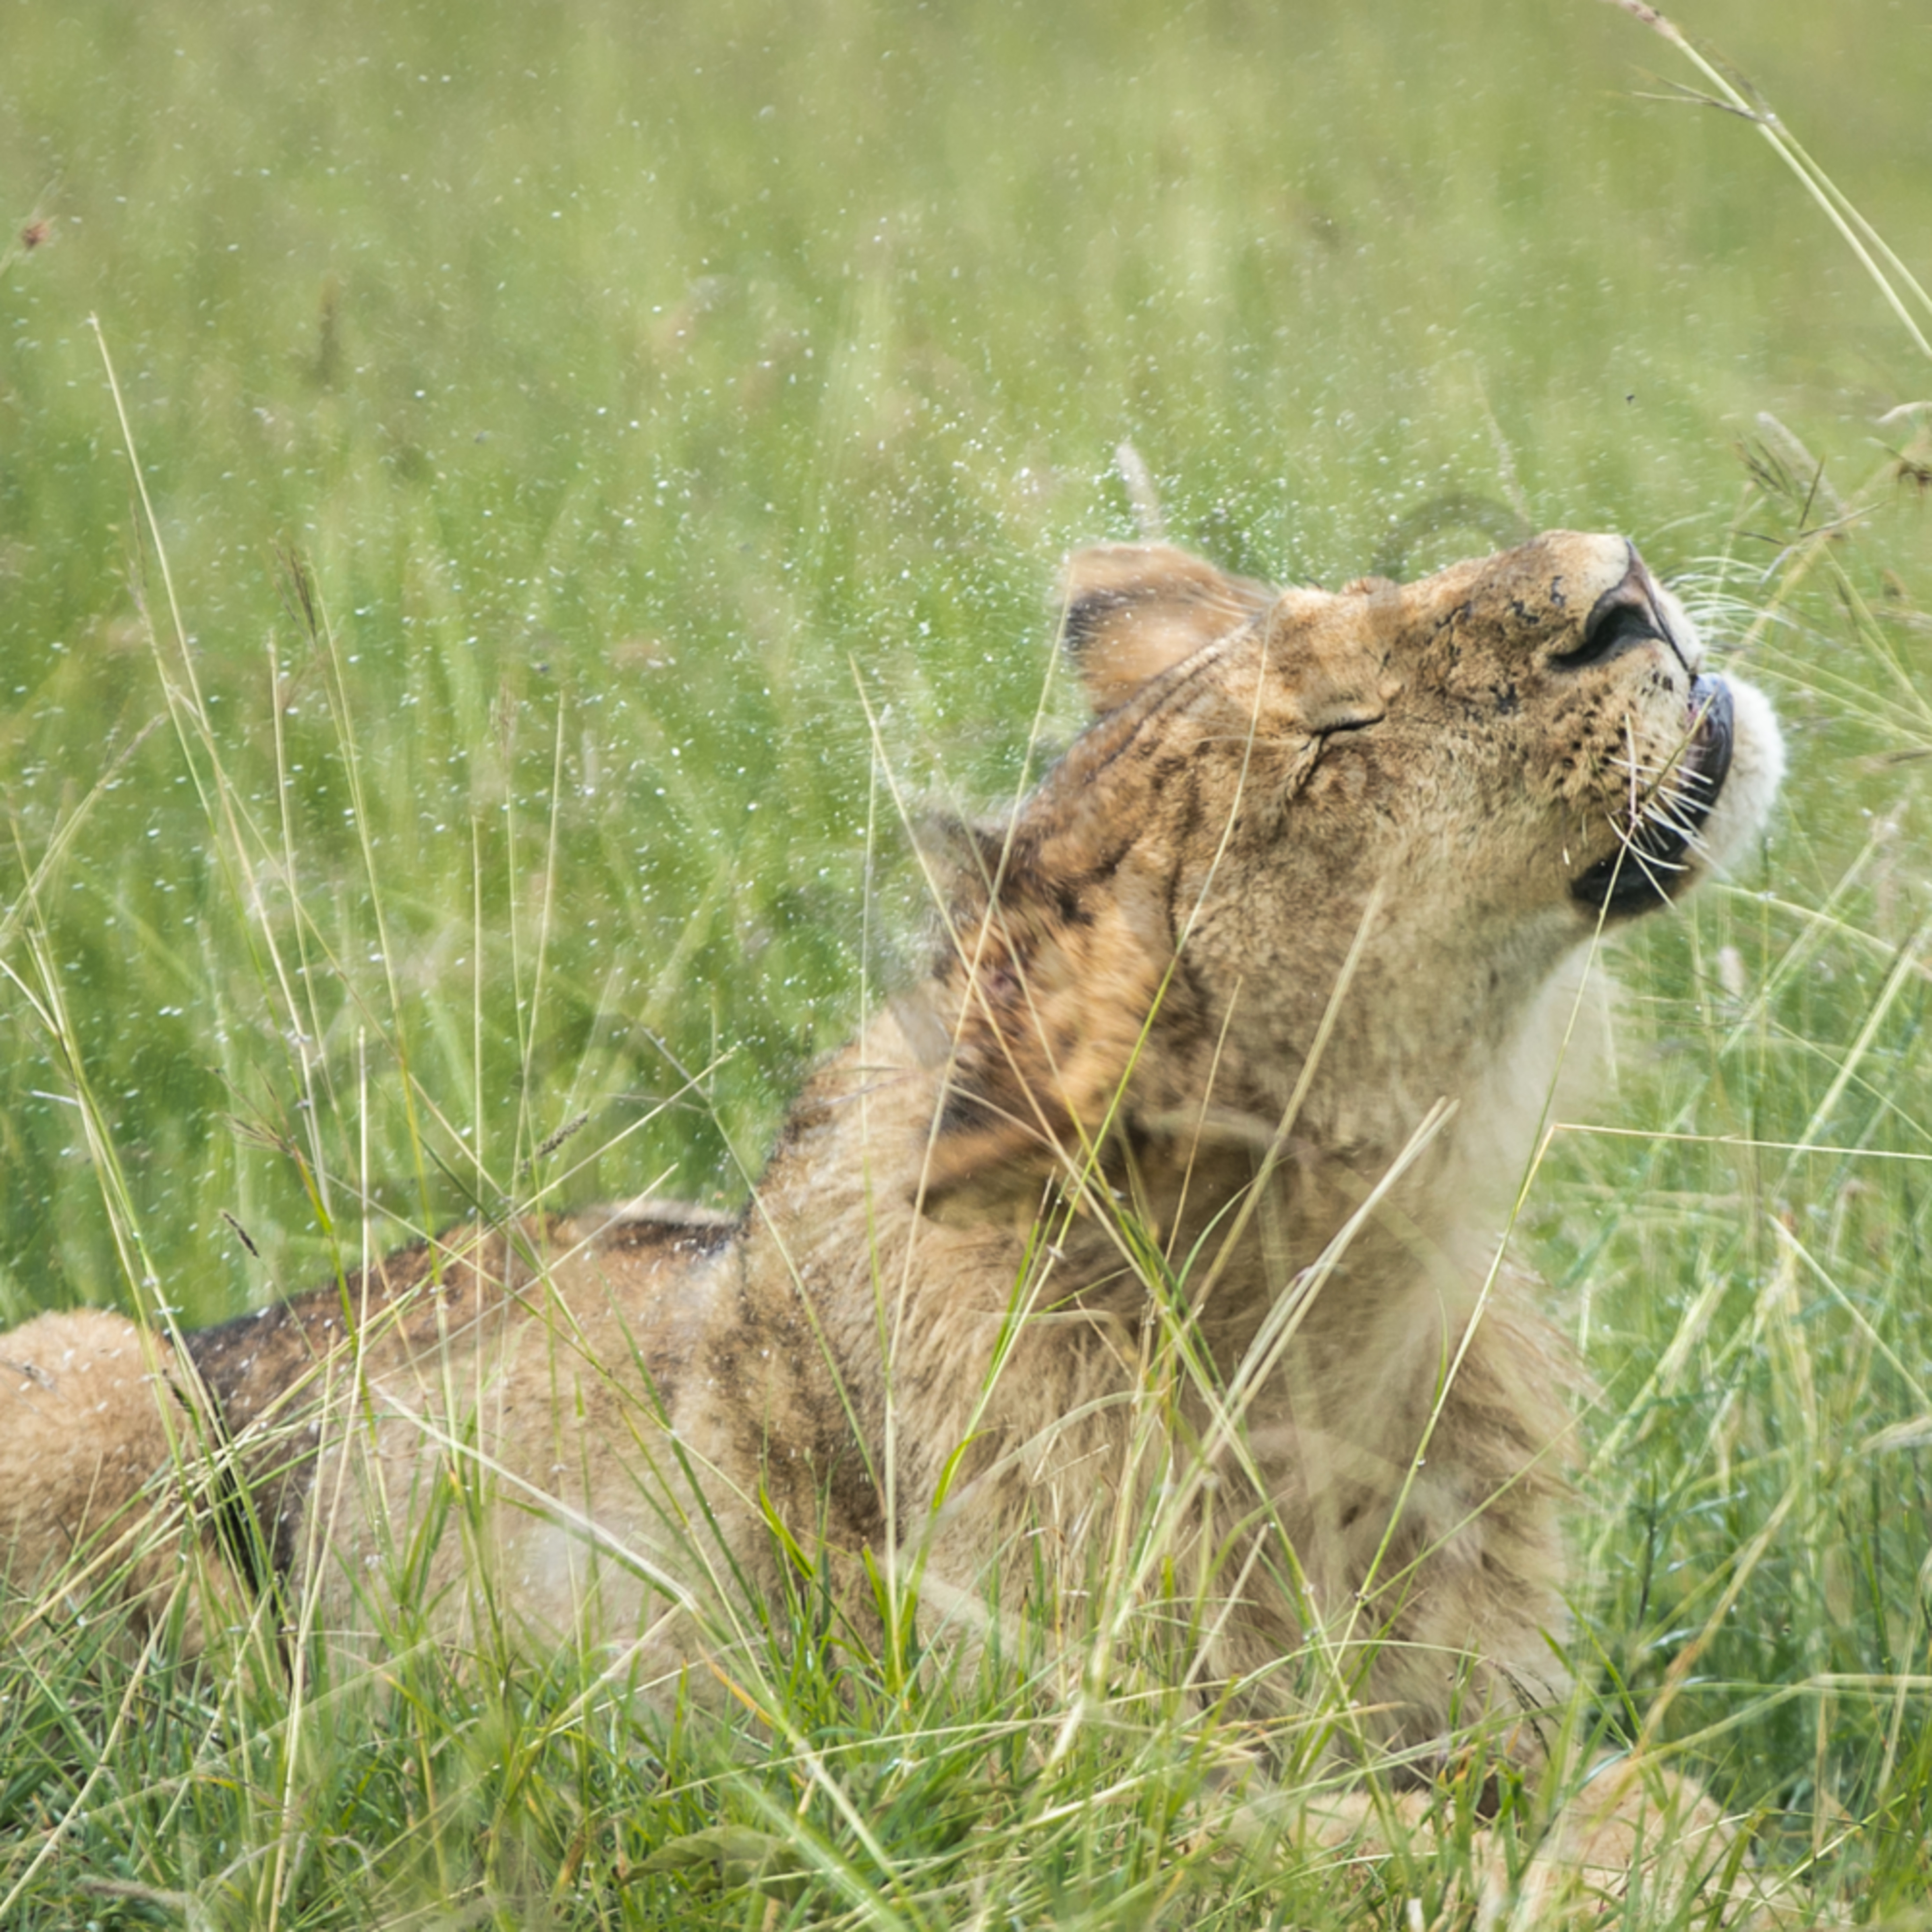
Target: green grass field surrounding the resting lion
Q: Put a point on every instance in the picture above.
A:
(675, 420)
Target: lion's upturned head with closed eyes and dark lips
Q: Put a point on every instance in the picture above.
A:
(1380, 820)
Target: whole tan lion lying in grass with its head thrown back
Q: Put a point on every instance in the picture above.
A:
(1236, 1048)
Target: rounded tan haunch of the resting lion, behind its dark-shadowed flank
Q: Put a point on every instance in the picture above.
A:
(92, 1446)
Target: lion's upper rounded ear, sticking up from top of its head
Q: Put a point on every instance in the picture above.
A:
(1137, 610)
